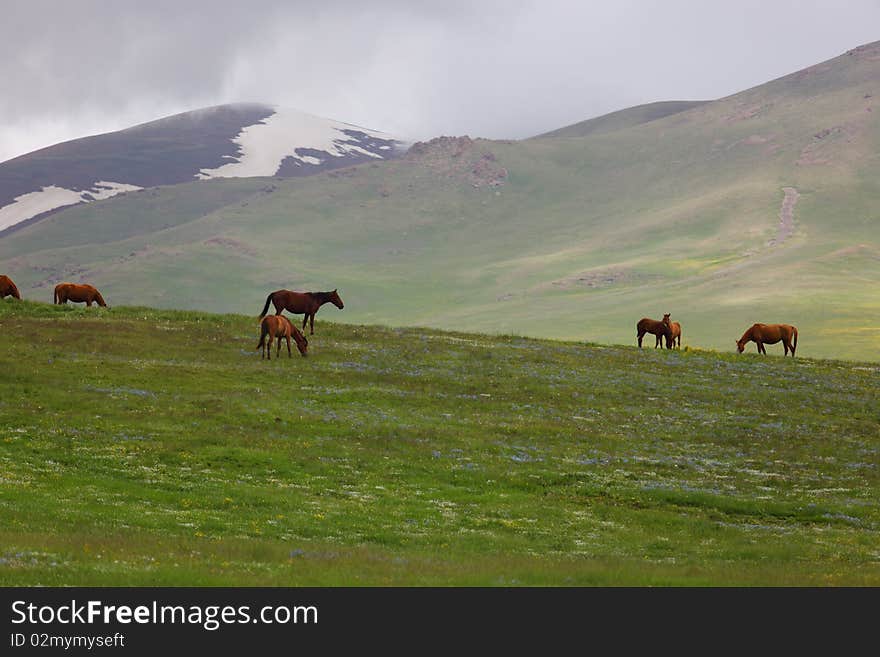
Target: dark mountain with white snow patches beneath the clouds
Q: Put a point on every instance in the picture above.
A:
(239, 140)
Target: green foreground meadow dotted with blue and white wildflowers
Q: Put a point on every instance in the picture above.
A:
(153, 447)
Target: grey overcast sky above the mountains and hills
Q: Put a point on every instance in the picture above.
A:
(71, 68)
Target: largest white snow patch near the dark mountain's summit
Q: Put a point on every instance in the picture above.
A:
(263, 146)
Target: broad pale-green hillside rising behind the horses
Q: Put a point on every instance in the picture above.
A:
(573, 238)
